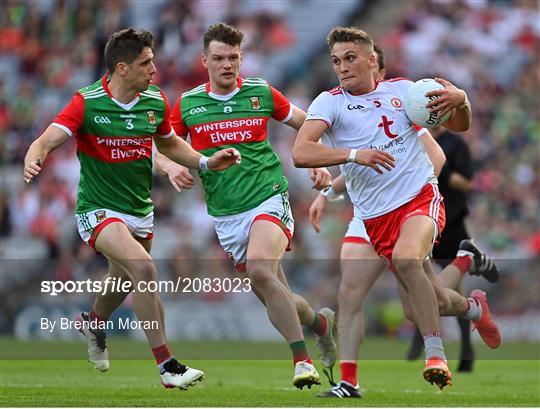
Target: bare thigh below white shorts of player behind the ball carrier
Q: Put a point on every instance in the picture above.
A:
(360, 268)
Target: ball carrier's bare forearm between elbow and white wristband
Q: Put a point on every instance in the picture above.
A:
(307, 154)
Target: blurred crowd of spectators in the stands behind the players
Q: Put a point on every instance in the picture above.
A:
(492, 49)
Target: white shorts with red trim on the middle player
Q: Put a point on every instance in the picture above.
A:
(233, 231)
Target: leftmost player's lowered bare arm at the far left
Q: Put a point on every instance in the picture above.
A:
(48, 141)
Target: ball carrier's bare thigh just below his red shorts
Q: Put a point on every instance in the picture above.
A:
(415, 239)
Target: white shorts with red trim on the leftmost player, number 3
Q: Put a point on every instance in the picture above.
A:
(91, 223)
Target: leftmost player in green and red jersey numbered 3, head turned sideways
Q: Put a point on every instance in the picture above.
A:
(114, 122)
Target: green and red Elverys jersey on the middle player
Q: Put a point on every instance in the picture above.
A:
(237, 120)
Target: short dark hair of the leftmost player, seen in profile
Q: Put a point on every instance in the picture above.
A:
(125, 46)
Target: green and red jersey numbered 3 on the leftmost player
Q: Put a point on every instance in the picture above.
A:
(114, 146)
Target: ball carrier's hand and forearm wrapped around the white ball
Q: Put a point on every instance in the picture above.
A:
(451, 98)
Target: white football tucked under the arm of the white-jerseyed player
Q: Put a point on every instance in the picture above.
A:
(415, 104)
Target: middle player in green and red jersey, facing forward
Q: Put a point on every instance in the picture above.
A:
(249, 204)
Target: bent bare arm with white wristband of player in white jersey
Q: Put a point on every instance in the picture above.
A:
(307, 152)
